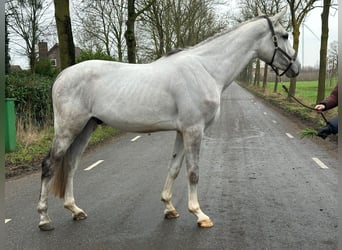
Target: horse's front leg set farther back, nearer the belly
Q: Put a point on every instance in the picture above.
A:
(174, 166)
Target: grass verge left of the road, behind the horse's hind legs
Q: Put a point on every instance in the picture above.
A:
(33, 144)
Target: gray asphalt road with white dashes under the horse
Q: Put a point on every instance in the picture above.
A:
(259, 182)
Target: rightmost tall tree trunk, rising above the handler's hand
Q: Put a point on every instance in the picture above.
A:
(323, 51)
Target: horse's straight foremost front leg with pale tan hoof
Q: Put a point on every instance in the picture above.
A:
(192, 143)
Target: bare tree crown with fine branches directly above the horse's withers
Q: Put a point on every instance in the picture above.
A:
(178, 24)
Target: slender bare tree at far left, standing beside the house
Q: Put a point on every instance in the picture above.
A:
(27, 20)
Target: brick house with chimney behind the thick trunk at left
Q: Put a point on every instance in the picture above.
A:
(53, 53)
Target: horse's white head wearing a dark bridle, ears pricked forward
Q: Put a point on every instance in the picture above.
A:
(276, 49)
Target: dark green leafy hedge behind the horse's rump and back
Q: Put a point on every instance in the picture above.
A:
(33, 92)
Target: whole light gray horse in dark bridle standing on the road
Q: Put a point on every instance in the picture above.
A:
(179, 92)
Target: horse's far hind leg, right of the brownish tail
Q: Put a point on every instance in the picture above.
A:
(74, 155)
